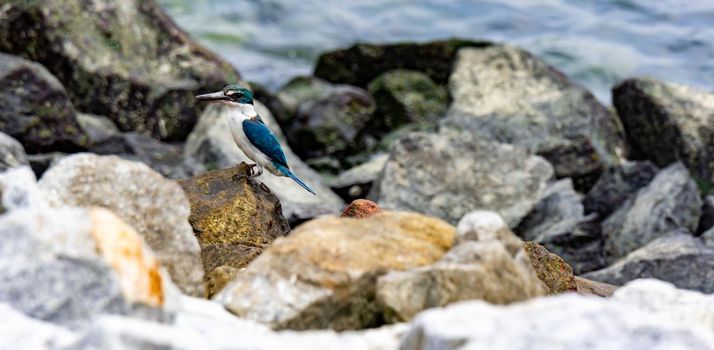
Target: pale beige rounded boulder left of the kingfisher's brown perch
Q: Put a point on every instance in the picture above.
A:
(156, 207)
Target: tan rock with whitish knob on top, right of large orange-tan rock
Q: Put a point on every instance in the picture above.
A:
(488, 263)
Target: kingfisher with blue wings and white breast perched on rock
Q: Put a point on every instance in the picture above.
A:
(251, 135)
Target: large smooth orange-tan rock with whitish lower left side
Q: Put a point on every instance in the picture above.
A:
(324, 274)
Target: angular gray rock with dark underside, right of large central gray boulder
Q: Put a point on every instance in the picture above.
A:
(559, 223)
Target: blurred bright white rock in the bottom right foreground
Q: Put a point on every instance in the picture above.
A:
(562, 322)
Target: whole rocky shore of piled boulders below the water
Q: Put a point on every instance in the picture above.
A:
(493, 202)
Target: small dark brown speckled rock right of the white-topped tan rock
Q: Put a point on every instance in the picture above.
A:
(551, 269)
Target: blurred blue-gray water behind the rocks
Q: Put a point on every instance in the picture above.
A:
(596, 42)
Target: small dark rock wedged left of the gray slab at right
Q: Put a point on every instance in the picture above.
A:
(617, 184)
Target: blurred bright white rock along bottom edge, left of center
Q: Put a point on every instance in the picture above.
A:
(201, 324)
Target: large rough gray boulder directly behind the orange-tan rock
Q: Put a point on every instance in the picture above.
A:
(450, 174)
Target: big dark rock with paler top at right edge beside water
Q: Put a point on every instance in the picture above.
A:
(667, 122)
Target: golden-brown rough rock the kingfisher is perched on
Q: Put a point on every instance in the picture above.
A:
(234, 219)
